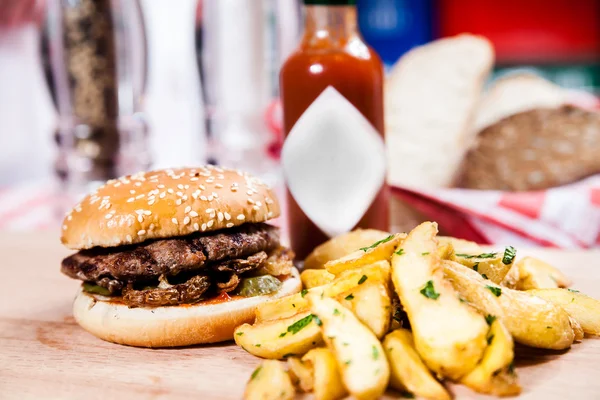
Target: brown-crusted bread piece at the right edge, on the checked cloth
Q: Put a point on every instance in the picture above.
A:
(534, 150)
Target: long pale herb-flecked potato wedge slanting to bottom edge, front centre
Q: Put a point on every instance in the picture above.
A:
(360, 357)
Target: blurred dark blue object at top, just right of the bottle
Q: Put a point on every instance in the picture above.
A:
(392, 27)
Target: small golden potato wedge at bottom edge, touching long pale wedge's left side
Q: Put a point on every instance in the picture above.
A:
(328, 383)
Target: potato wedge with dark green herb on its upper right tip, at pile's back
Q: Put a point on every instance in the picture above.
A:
(493, 266)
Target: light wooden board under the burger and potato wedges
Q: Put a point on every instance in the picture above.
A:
(44, 353)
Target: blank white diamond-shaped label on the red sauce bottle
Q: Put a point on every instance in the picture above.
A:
(334, 163)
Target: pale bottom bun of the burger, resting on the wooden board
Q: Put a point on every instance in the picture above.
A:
(171, 326)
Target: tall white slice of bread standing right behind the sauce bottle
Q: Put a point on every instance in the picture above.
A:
(431, 96)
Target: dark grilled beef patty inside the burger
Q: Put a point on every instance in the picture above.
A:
(218, 255)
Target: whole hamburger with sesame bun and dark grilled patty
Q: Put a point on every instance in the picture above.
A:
(175, 257)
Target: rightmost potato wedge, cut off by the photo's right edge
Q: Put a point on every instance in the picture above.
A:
(584, 309)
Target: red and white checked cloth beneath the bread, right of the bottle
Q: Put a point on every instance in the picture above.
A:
(563, 217)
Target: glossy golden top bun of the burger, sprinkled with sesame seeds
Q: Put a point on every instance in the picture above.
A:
(167, 203)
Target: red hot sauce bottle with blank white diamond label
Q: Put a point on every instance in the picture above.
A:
(333, 62)
